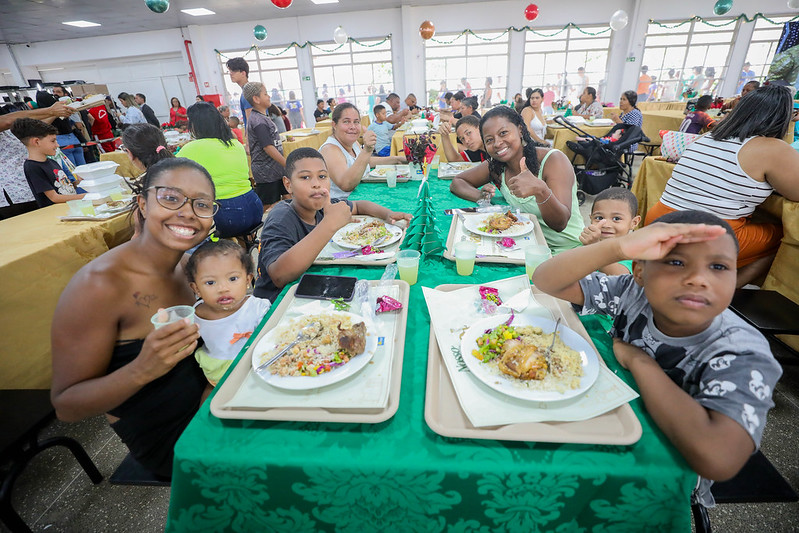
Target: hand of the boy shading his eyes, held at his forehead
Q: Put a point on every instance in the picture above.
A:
(657, 240)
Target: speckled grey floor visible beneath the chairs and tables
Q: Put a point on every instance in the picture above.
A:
(54, 494)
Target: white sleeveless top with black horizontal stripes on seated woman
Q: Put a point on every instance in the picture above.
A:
(709, 178)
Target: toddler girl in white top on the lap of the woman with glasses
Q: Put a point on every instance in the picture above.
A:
(220, 274)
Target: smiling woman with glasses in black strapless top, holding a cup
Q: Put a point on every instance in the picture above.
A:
(107, 358)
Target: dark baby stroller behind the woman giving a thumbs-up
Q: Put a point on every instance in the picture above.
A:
(606, 164)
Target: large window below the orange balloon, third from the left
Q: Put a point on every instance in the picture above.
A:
(466, 63)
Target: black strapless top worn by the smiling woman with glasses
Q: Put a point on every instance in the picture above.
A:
(152, 420)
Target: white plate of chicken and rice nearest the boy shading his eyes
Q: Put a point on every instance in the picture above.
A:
(510, 360)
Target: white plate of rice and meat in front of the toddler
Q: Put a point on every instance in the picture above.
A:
(342, 344)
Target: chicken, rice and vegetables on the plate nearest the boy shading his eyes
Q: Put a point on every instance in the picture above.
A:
(519, 352)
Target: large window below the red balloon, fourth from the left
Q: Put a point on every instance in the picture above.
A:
(552, 61)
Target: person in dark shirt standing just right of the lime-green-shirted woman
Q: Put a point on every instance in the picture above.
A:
(266, 148)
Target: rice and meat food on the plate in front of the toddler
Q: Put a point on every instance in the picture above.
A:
(333, 343)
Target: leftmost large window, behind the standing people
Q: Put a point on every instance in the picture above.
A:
(278, 73)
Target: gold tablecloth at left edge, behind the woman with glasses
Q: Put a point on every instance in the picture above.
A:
(40, 254)
